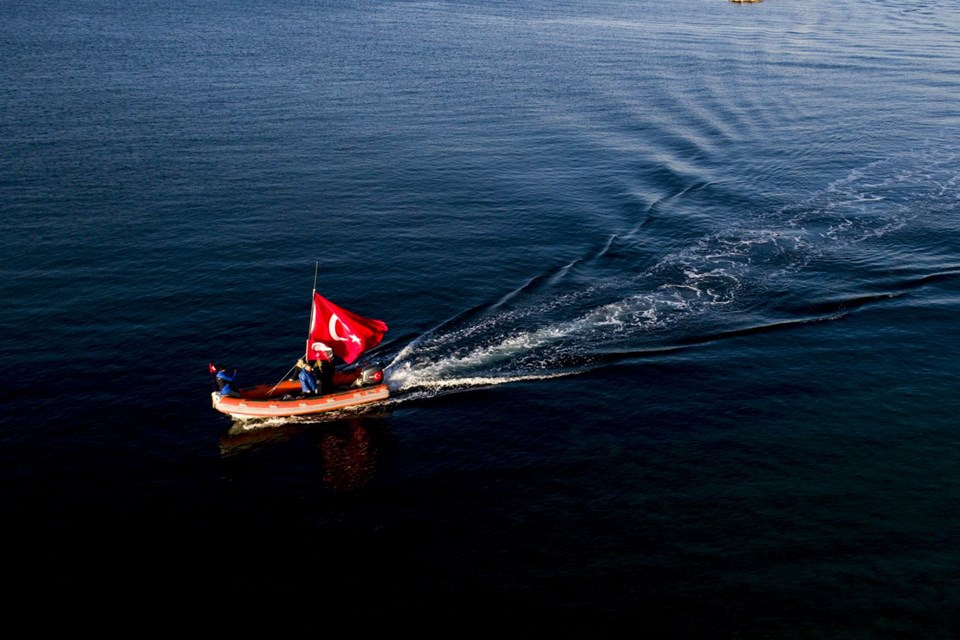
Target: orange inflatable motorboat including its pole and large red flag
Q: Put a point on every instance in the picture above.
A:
(333, 330)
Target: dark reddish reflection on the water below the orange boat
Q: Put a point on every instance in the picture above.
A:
(350, 448)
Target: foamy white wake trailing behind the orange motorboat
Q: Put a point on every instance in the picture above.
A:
(618, 304)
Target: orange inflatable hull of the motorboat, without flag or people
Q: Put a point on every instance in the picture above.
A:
(284, 400)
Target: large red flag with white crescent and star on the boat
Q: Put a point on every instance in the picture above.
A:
(348, 334)
